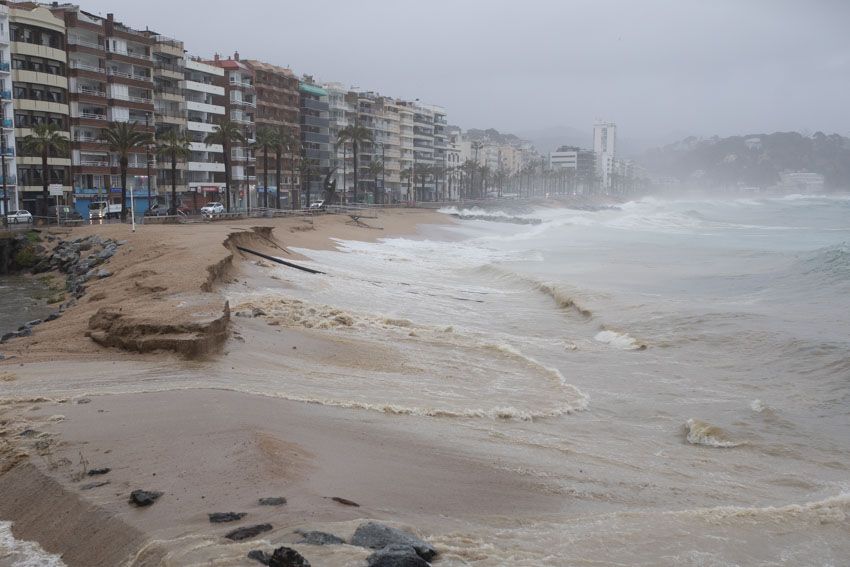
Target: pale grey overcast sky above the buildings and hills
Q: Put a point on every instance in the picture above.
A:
(655, 67)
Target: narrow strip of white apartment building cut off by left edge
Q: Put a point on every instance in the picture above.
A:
(8, 175)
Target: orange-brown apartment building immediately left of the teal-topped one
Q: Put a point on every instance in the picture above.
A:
(278, 107)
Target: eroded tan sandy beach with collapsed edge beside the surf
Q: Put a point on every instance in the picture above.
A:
(71, 405)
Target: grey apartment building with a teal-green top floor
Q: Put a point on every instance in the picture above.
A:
(315, 136)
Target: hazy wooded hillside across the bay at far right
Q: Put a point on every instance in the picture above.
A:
(755, 160)
